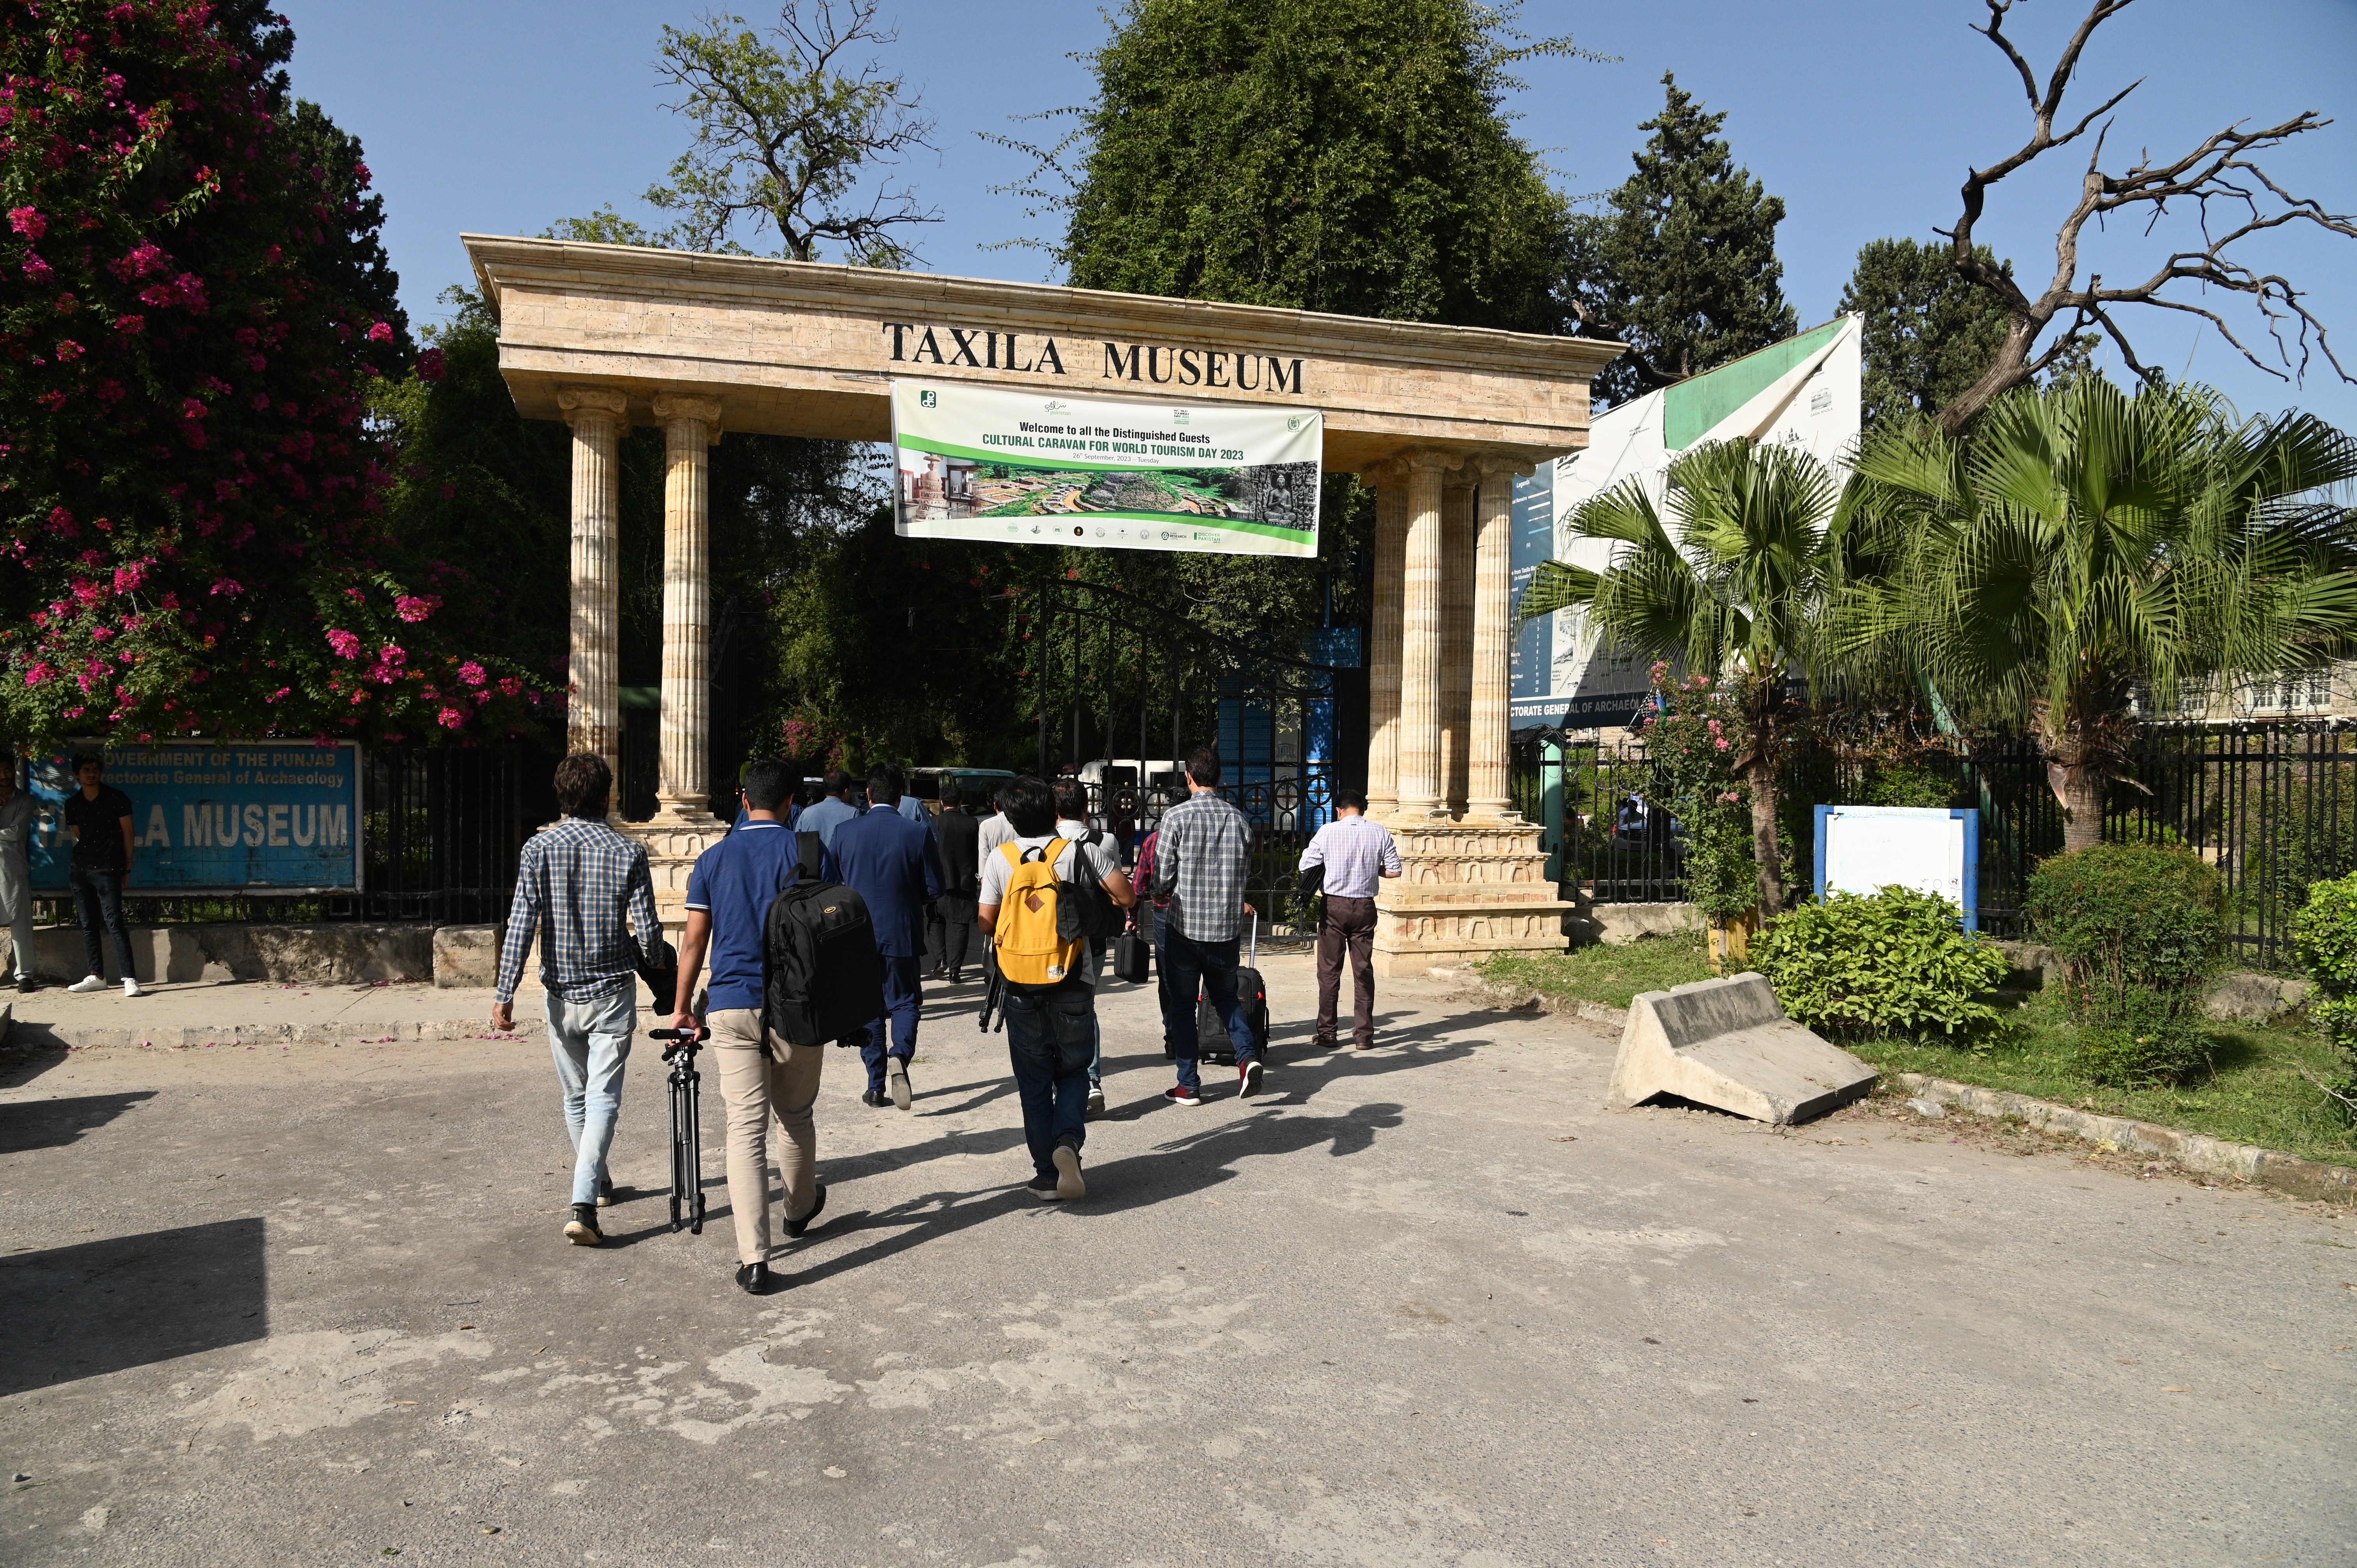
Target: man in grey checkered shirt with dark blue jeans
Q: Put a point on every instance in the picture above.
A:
(1201, 859)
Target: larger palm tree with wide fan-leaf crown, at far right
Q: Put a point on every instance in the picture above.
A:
(2080, 546)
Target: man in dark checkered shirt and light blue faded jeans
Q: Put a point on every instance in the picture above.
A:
(586, 888)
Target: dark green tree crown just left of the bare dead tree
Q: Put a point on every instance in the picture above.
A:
(1929, 334)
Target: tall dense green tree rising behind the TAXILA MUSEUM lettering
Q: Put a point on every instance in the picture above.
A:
(1319, 154)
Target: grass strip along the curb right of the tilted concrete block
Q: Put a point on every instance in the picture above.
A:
(2254, 1093)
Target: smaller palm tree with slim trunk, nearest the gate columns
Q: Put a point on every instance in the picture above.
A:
(1734, 588)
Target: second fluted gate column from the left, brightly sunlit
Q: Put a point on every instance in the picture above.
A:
(689, 430)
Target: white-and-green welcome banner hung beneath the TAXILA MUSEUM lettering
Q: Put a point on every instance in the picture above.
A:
(977, 463)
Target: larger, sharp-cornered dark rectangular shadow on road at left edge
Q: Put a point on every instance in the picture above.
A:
(126, 1303)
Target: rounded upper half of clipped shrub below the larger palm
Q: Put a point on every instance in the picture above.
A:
(2125, 916)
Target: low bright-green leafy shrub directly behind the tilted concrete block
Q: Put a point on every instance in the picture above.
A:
(1899, 963)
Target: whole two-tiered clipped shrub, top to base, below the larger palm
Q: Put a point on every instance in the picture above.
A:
(2139, 933)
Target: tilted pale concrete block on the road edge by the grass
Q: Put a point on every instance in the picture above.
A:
(1727, 1043)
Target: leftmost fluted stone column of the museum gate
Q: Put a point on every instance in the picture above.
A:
(593, 668)
